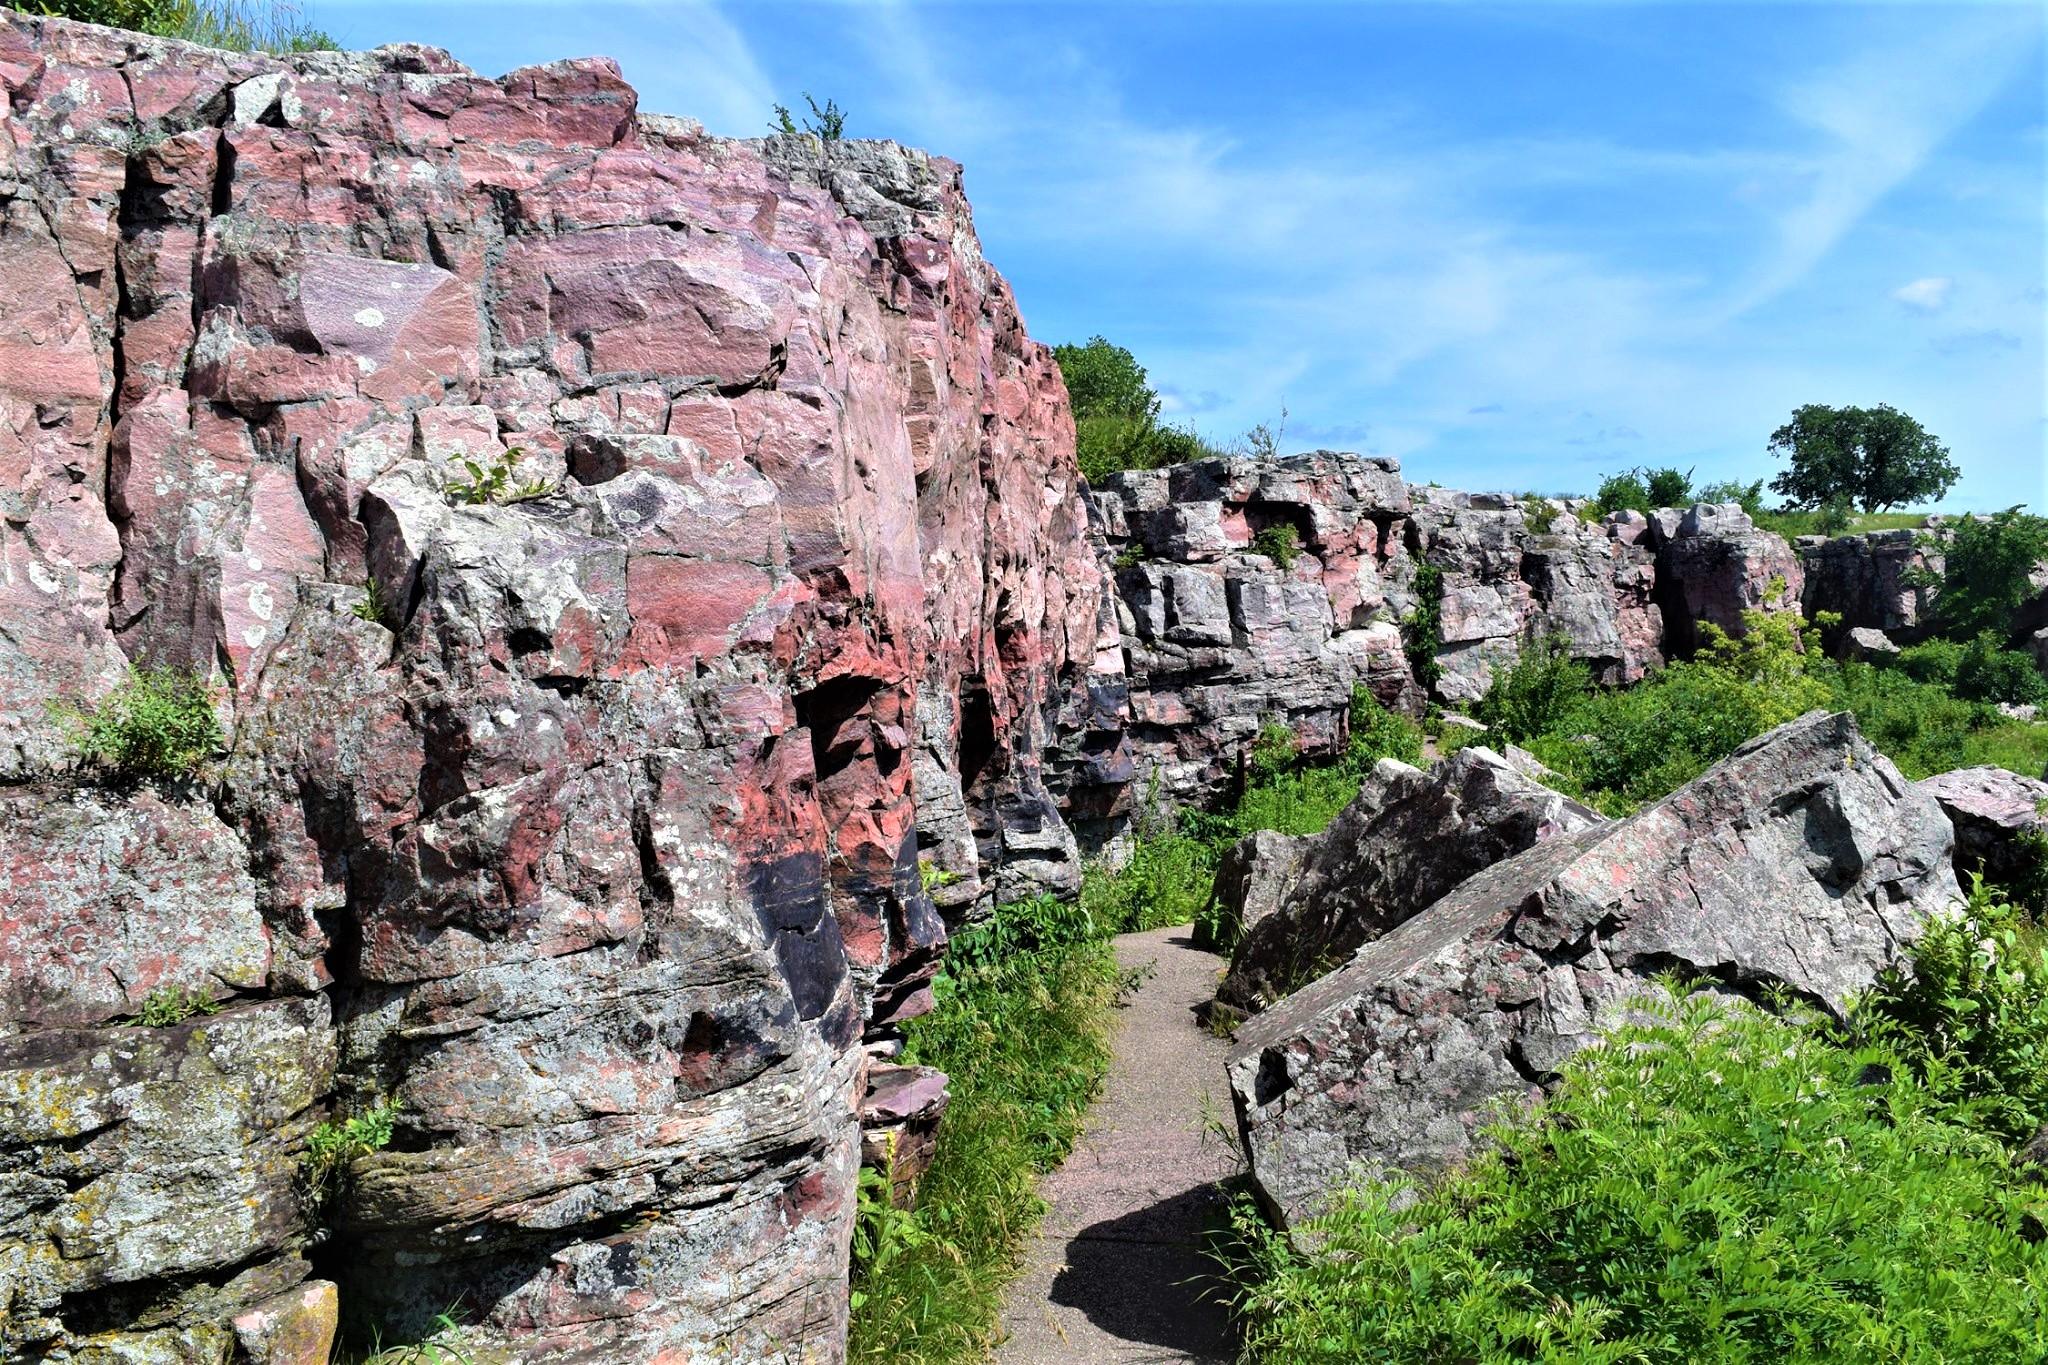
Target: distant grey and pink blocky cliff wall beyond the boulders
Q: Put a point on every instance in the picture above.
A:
(1222, 637)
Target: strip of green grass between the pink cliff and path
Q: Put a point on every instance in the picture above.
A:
(1025, 1045)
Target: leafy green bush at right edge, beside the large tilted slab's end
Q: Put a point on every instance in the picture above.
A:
(1971, 1016)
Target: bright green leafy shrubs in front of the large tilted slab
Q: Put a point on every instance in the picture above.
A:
(1713, 1184)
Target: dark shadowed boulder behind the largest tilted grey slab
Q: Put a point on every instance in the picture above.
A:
(1404, 842)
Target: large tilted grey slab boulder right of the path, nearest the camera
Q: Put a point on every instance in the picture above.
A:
(1801, 863)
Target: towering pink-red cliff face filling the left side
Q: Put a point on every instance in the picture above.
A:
(587, 828)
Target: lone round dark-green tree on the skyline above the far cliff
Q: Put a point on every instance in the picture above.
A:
(1877, 457)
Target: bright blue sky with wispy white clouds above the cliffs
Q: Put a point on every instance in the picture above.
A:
(1514, 245)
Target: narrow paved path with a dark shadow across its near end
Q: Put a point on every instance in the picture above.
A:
(1109, 1278)
